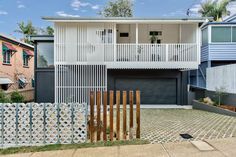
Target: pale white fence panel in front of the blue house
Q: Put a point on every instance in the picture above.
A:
(222, 77)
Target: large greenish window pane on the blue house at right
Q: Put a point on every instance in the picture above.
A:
(221, 34)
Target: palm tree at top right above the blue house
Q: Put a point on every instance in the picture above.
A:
(214, 9)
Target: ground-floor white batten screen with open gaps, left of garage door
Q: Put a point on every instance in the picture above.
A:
(74, 82)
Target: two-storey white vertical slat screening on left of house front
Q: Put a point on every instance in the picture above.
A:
(76, 73)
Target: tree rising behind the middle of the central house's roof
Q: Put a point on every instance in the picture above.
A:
(118, 8)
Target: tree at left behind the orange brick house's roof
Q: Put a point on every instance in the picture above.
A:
(26, 29)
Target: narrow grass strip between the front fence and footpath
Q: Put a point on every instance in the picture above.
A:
(29, 149)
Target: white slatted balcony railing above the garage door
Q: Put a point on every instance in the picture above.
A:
(151, 53)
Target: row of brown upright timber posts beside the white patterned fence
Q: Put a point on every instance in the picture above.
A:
(100, 128)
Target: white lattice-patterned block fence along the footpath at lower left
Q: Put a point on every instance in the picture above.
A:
(40, 124)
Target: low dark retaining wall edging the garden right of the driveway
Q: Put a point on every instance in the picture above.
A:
(210, 108)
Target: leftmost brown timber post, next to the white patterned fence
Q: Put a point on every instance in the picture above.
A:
(91, 116)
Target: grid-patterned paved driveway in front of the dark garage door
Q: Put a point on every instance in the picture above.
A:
(165, 125)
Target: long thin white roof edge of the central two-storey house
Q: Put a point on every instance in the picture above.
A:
(125, 19)
